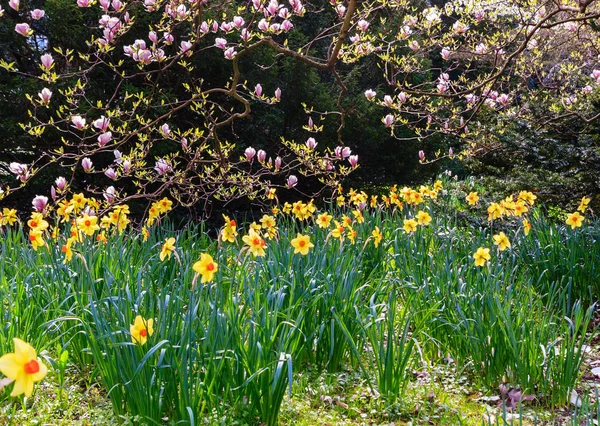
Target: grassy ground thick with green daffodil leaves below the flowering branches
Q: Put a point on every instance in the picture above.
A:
(388, 319)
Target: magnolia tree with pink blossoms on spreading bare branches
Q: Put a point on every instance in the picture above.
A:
(444, 67)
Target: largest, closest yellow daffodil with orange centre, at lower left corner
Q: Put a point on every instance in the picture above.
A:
(23, 367)
